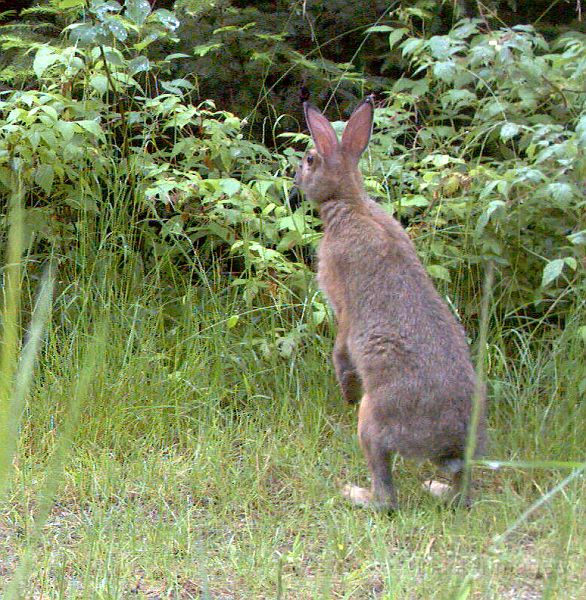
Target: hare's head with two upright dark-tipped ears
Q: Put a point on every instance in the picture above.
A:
(330, 170)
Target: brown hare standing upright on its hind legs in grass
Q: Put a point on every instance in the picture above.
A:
(396, 337)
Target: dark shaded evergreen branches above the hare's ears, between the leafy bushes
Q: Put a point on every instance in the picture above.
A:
(255, 56)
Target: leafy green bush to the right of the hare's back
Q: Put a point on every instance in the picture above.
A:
(483, 146)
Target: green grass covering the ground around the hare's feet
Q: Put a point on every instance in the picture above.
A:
(203, 463)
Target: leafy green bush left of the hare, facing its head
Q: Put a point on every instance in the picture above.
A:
(105, 131)
